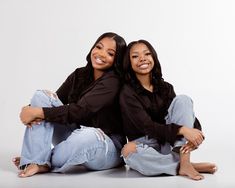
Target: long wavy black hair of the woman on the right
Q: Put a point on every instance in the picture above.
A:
(156, 73)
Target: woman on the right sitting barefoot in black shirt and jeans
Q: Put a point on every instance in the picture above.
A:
(161, 126)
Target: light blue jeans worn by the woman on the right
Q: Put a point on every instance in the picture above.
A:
(153, 158)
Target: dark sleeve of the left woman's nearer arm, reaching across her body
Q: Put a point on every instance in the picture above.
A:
(100, 94)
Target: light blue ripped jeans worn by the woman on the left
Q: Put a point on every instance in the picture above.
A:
(86, 146)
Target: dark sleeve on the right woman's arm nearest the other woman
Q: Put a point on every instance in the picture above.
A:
(135, 116)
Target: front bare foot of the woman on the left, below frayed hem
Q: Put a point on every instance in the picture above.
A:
(33, 169)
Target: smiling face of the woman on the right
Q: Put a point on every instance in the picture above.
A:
(141, 59)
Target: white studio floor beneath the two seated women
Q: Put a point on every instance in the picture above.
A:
(123, 177)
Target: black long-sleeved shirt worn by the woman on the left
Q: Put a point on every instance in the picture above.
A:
(89, 102)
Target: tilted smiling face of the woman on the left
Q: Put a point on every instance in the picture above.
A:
(102, 55)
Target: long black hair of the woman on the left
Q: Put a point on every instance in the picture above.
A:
(118, 58)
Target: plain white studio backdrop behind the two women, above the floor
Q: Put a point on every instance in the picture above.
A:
(42, 42)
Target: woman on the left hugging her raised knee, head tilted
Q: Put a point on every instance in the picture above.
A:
(82, 119)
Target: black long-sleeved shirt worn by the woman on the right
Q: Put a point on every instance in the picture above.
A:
(143, 113)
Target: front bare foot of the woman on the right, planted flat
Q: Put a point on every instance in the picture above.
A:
(187, 169)
